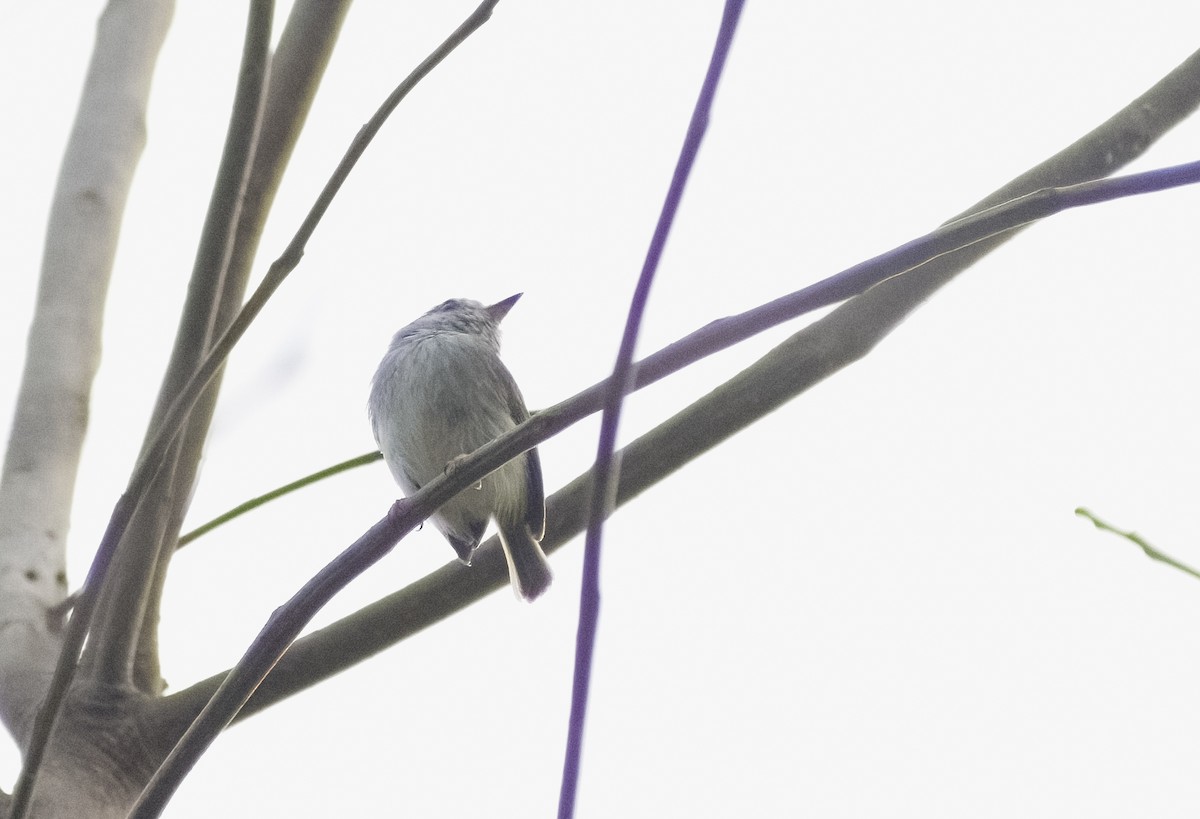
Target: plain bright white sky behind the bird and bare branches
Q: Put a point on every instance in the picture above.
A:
(878, 601)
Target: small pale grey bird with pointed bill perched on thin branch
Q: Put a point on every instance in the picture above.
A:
(442, 392)
